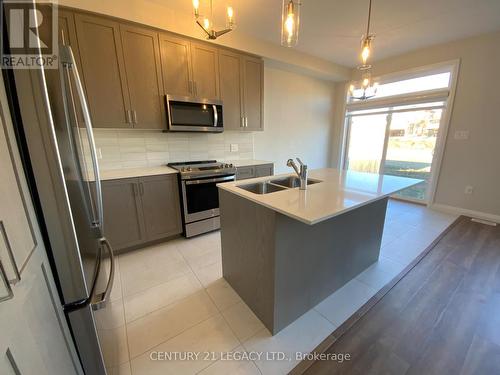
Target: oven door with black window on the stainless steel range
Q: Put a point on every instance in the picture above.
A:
(200, 197)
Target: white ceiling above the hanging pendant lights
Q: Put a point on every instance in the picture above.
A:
(331, 29)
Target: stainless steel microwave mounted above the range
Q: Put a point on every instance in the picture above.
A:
(187, 114)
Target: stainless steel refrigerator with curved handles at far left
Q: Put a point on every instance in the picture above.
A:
(61, 148)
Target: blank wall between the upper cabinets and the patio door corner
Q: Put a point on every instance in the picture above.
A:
(297, 117)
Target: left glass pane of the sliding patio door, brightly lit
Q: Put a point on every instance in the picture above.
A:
(366, 143)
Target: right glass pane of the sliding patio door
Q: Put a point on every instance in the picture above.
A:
(410, 149)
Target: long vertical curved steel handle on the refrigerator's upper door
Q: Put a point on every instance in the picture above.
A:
(90, 135)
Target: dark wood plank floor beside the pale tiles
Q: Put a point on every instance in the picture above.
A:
(442, 317)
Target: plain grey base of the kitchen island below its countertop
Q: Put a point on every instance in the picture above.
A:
(282, 267)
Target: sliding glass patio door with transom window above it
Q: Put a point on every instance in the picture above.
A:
(398, 133)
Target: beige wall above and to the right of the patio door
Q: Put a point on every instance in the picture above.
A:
(475, 161)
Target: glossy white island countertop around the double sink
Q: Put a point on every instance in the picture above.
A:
(339, 192)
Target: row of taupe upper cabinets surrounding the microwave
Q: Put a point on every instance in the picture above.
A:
(128, 69)
